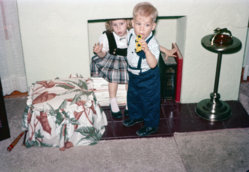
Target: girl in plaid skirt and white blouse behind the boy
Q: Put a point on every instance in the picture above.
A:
(110, 60)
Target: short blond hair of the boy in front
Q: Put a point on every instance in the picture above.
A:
(145, 9)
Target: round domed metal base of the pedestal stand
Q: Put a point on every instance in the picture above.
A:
(213, 109)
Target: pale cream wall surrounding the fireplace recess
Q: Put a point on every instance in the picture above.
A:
(55, 39)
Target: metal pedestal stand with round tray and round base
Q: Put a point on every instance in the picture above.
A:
(214, 109)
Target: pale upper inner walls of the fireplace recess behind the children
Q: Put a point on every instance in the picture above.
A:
(169, 29)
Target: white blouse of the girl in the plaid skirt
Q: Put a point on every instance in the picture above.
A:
(120, 41)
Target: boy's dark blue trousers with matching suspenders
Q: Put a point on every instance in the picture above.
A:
(143, 95)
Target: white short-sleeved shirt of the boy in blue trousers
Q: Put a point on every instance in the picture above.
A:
(133, 58)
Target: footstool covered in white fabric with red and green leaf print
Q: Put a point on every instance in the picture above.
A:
(63, 113)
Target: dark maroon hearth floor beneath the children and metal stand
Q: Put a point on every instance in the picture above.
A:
(176, 117)
